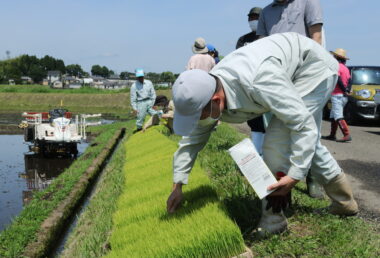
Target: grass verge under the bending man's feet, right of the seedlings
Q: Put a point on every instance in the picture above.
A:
(310, 235)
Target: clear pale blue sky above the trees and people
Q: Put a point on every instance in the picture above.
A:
(157, 35)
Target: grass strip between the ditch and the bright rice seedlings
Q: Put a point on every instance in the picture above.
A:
(91, 235)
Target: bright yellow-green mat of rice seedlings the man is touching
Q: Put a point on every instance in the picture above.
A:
(142, 227)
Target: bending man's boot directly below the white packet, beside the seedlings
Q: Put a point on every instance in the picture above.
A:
(270, 222)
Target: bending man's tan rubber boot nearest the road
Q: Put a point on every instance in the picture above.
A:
(340, 193)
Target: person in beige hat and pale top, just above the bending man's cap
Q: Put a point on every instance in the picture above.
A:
(201, 59)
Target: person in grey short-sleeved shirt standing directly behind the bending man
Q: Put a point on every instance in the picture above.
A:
(301, 16)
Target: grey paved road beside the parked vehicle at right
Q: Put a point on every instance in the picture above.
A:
(360, 159)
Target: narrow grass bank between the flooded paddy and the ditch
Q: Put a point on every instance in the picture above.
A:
(23, 229)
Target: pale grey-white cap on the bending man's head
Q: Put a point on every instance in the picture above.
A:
(191, 92)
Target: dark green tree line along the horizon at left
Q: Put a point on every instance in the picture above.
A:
(37, 69)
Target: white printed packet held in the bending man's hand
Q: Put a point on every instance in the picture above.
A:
(253, 167)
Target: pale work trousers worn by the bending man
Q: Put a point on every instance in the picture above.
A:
(323, 166)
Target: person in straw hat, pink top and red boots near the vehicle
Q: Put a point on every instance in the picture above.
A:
(339, 99)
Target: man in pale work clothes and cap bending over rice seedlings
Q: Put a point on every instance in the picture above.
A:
(286, 74)
